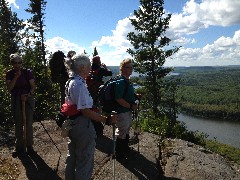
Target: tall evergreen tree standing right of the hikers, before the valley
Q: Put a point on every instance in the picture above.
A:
(150, 51)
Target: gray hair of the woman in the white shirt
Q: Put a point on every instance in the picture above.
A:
(77, 61)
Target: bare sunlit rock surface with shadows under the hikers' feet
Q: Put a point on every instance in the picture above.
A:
(181, 159)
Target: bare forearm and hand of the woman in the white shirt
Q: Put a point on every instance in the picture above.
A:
(98, 117)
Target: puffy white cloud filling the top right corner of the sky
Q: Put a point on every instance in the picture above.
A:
(207, 13)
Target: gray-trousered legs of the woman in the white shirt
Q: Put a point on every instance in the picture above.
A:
(83, 134)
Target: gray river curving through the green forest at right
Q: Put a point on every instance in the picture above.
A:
(227, 132)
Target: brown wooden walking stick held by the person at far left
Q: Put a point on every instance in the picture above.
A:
(23, 99)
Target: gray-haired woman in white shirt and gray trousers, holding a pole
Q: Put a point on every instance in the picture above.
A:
(81, 147)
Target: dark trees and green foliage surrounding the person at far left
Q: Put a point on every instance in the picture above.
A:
(47, 94)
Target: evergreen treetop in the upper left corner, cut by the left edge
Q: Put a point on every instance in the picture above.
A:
(10, 26)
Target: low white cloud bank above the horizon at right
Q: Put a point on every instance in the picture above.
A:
(224, 51)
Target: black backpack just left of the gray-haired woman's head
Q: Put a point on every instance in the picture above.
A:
(58, 70)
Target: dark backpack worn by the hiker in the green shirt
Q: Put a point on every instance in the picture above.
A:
(106, 95)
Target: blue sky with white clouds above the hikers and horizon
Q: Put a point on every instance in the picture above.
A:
(208, 31)
